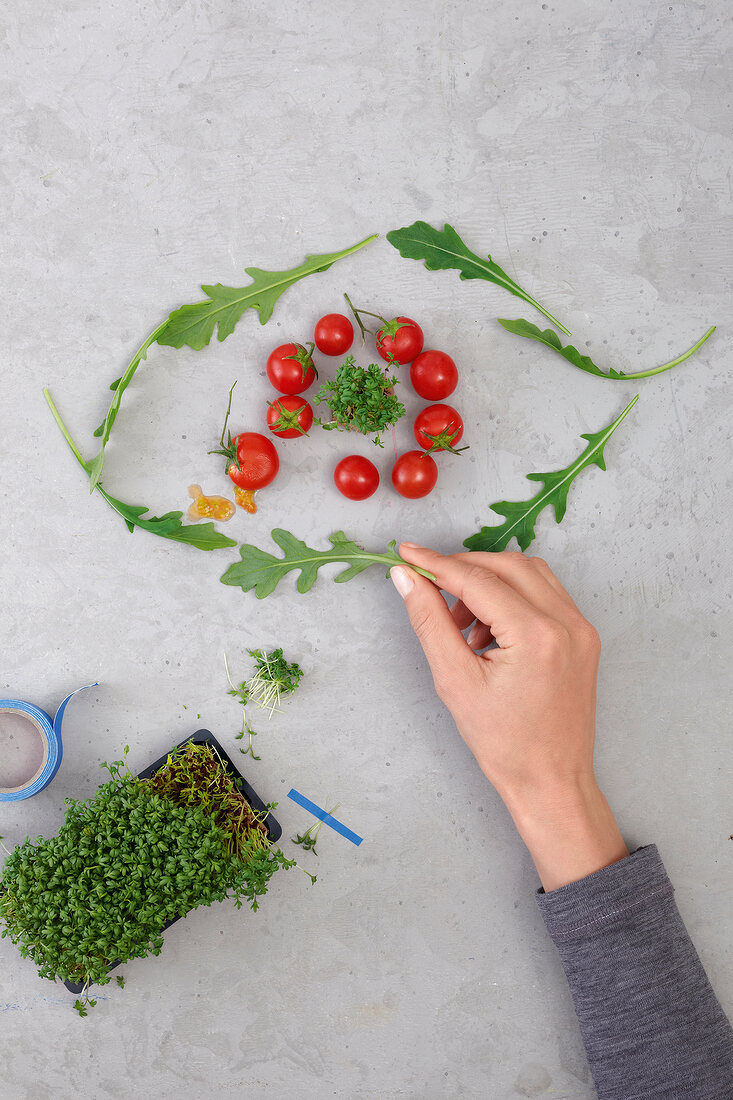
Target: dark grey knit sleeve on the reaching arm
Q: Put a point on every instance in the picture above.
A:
(651, 1022)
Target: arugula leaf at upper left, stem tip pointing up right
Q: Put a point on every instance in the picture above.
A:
(194, 325)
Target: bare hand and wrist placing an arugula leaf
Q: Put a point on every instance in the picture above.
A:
(528, 709)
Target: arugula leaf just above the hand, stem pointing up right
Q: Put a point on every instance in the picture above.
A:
(521, 516)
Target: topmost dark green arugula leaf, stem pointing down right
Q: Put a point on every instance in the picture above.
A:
(444, 249)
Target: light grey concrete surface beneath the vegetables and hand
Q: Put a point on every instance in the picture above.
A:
(151, 148)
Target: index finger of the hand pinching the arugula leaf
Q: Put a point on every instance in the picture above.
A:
(509, 615)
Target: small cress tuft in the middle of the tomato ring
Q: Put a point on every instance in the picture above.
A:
(360, 399)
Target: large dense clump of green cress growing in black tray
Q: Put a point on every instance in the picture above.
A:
(124, 864)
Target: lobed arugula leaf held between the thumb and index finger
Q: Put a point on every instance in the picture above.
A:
(264, 571)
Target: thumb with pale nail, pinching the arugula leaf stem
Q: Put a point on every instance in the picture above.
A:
(443, 644)
